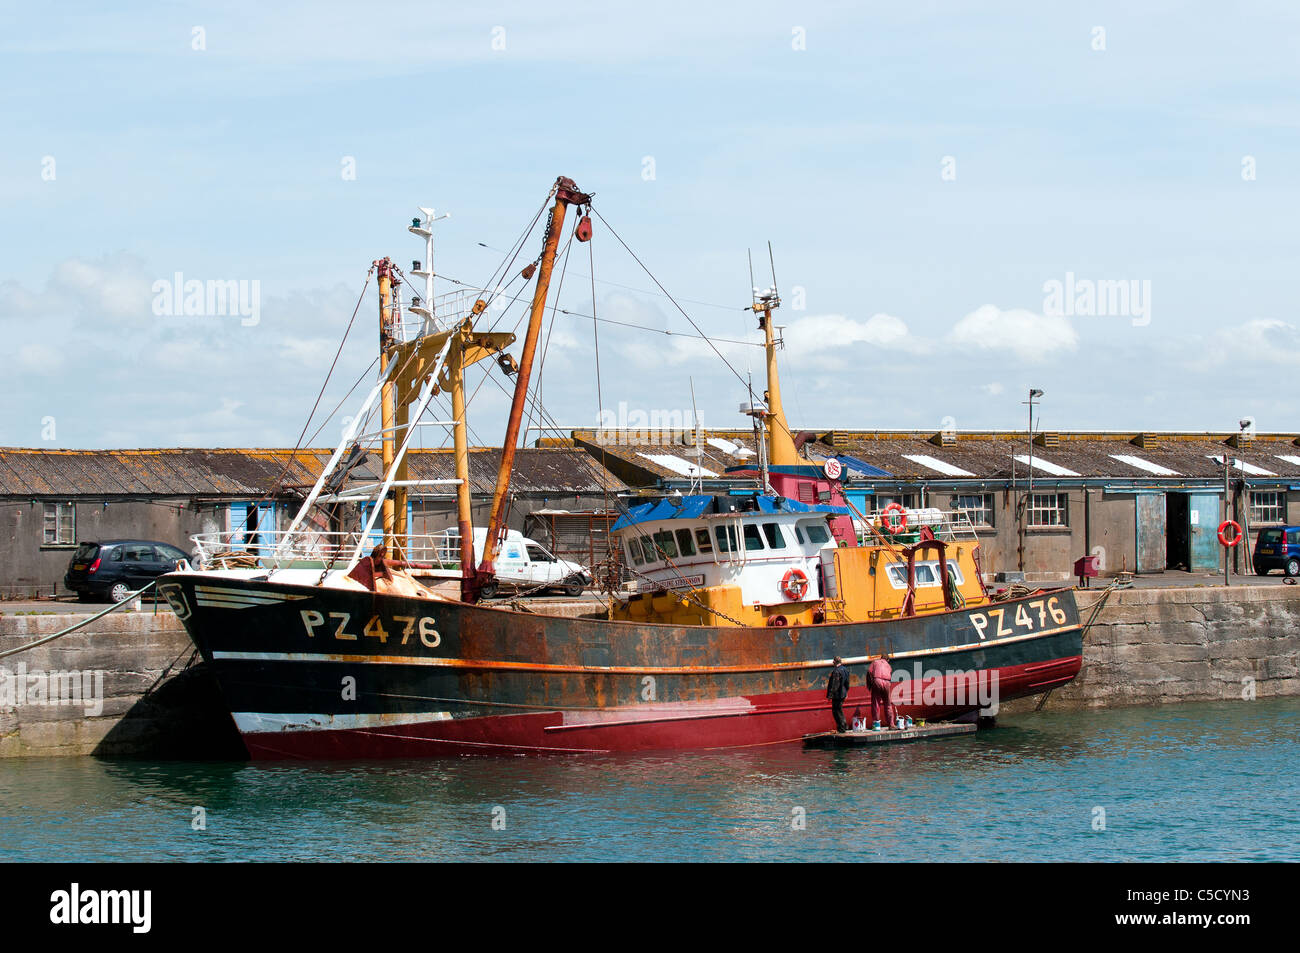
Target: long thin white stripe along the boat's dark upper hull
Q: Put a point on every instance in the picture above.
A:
(616, 670)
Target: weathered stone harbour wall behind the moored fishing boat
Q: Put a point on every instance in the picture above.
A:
(1147, 647)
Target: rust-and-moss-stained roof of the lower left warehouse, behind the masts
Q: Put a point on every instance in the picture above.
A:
(184, 473)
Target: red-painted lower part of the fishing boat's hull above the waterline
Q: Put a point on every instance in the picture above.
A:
(743, 722)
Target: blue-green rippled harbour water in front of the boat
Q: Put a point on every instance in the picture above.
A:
(1208, 782)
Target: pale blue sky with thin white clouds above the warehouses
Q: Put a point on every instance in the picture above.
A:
(964, 202)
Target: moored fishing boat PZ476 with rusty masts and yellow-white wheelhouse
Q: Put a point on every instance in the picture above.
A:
(372, 643)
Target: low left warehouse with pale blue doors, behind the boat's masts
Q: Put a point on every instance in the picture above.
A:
(53, 500)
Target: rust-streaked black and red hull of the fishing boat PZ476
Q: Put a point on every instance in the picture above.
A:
(319, 673)
